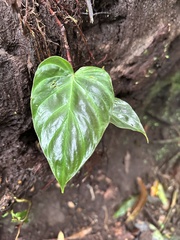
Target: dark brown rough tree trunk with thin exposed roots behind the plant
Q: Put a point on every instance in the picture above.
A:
(136, 41)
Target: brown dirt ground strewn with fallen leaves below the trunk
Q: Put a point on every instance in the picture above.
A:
(85, 210)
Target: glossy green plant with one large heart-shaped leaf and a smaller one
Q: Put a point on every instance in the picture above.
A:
(71, 111)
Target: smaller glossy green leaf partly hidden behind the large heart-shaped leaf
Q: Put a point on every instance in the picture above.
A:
(123, 116)
